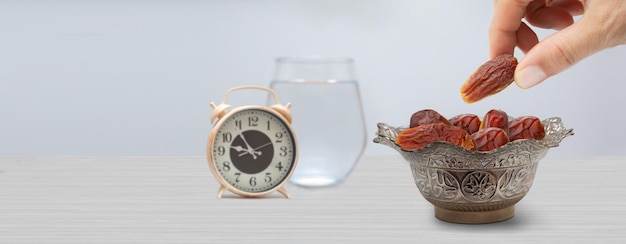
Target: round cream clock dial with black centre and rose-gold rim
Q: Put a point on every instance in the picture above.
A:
(253, 150)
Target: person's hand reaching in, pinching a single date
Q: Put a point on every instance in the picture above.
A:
(602, 26)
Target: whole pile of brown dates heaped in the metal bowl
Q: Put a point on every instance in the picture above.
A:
(468, 130)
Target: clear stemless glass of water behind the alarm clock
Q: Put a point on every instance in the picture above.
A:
(327, 116)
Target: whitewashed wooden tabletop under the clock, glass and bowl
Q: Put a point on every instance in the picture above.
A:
(173, 200)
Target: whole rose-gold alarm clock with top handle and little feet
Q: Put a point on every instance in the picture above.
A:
(252, 150)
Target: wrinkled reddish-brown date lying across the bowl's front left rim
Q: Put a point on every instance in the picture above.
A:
(423, 135)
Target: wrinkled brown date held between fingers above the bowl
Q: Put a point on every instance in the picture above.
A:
(490, 78)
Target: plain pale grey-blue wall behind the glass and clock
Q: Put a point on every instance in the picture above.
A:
(136, 77)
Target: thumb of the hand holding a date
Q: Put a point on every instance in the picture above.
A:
(557, 53)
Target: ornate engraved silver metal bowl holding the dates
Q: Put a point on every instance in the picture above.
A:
(475, 187)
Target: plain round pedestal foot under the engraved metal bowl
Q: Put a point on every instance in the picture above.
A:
(480, 217)
